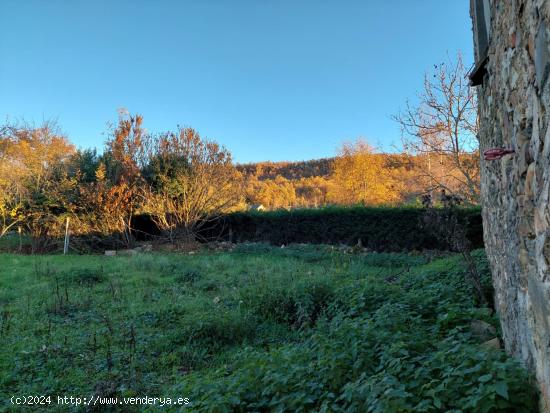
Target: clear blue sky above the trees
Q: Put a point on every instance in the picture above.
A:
(270, 80)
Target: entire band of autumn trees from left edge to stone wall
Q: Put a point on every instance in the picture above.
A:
(184, 181)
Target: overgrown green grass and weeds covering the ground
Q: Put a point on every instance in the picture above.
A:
(305, 328)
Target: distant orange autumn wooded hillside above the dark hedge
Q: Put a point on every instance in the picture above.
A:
(358, 175)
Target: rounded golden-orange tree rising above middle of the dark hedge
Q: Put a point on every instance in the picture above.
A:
(361, 176)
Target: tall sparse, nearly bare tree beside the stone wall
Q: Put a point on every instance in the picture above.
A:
(443, 128)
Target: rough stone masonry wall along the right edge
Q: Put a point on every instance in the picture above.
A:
(512, 47)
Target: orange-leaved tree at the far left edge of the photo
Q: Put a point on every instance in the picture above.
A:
(36, 188)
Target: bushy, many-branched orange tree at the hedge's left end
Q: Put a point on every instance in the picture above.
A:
(193, 182)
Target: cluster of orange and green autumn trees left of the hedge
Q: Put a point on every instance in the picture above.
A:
(179, 178)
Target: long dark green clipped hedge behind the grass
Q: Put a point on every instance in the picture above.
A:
(380, 229)
